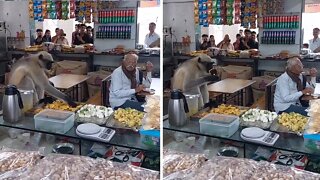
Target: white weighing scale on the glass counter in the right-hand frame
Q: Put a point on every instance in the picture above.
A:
(257, 135)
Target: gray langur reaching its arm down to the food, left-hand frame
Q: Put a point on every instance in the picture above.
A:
(29, 73)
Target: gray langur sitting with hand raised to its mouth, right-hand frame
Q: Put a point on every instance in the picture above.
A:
(193, 76)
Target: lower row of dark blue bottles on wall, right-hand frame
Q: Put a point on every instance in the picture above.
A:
(278, 37)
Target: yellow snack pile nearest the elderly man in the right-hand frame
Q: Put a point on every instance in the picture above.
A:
(290, 123)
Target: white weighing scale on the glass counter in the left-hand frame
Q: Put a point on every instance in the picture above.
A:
(95, 132)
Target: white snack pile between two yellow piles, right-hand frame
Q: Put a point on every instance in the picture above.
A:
(254, 115)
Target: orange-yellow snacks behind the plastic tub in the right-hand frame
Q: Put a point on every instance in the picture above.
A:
(222, 109)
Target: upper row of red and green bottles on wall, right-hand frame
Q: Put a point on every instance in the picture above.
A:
(281, 22)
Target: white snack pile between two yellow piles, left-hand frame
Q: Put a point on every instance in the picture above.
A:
(90, 110)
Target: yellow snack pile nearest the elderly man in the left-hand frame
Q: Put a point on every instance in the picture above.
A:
(126, 119)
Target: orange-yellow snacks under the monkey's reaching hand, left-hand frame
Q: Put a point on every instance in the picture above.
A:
(56, 105)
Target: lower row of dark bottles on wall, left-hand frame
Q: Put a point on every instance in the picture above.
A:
(114, 32)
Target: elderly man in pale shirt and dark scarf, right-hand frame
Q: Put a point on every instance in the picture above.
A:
(291, 86)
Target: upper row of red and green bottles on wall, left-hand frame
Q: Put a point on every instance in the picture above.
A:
(116, 16)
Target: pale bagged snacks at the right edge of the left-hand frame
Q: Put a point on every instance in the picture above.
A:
(152, 109)
